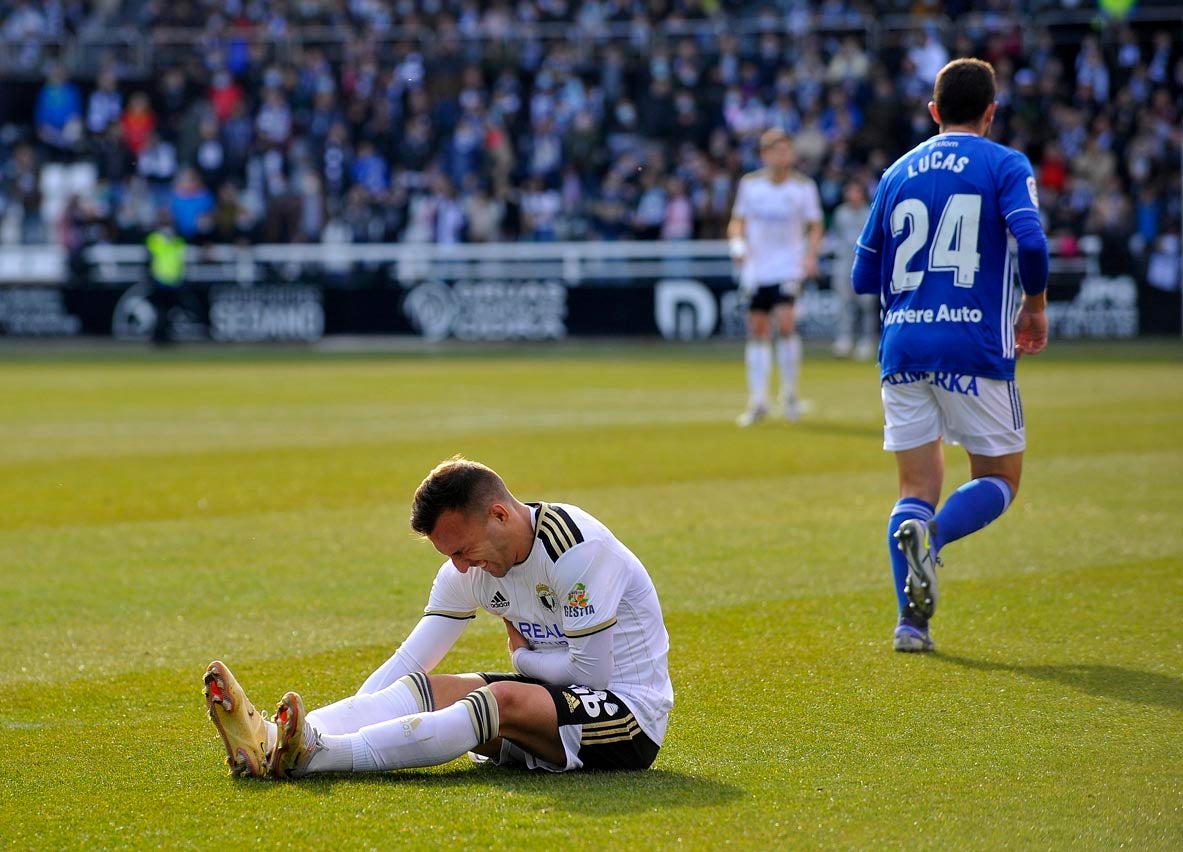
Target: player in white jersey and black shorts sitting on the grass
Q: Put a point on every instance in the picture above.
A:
(591, 689)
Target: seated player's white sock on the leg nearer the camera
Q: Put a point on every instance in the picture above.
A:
(413, 741)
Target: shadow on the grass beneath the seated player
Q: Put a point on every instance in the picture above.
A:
(603, 792)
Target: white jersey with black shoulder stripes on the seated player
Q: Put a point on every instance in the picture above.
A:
(579, 580)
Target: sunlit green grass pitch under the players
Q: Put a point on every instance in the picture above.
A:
(161, 511)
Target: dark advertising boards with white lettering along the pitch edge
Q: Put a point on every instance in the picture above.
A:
(674, 307)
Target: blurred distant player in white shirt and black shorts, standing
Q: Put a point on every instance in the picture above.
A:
(775, 233)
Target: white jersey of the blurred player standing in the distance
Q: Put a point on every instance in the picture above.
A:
(777, 217)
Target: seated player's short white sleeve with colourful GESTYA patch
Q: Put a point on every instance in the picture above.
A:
(591, 585)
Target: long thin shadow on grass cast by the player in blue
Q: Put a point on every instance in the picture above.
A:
(1102, 681)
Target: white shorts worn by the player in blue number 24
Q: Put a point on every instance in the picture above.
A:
(985, 416)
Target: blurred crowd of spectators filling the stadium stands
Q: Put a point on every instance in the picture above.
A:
(540, 120)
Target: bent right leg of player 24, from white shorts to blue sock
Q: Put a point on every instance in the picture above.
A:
(986, 417)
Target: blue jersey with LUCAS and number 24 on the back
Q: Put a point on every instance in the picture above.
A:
(939, 236)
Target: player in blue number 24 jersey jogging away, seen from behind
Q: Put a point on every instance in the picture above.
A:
(935, 250)
